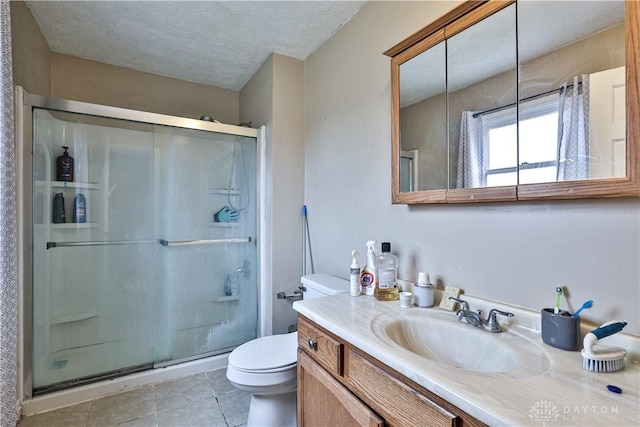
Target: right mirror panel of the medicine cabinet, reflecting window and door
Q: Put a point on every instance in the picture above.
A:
(570, 85)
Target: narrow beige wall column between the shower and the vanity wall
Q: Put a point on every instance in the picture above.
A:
(275, 97)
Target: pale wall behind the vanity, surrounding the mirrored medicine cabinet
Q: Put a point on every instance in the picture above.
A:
(511, 252)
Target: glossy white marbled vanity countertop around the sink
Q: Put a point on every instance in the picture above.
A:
(563, 395)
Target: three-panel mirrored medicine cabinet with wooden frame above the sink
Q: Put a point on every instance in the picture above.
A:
(518, 100)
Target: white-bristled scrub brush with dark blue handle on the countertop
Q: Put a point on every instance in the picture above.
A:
(603, 358)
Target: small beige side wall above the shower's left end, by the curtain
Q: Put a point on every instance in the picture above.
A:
(31, 55)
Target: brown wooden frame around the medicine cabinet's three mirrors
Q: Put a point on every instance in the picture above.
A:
(466, 15)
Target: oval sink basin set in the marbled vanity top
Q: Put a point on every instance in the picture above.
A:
(438, 336)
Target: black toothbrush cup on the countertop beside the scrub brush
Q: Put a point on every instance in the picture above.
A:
(560, 330)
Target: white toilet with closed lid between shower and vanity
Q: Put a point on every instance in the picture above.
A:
(266, 366)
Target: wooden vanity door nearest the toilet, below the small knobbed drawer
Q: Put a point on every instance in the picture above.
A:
(323, 401)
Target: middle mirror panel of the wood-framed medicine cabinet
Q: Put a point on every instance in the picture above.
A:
(490, 45)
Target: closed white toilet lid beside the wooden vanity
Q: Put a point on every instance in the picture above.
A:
(274, 351)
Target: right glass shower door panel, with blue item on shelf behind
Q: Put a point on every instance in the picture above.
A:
(209, 262)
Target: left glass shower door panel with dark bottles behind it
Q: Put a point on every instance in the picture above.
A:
(89, 281)
